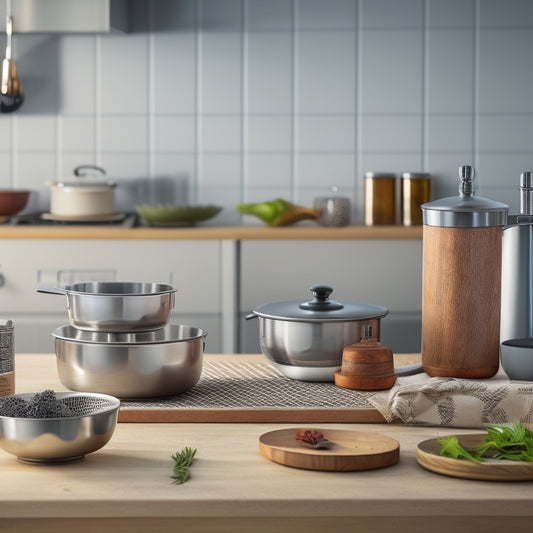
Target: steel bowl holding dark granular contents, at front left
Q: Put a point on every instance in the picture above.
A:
(60, 440)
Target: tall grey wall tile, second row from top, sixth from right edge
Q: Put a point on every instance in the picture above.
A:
(220, 67)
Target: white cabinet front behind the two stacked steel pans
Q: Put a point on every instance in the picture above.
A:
(193, 267)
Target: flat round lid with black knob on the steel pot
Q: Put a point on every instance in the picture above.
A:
(319, 309)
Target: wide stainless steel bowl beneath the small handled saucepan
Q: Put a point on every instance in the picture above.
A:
(164, 362)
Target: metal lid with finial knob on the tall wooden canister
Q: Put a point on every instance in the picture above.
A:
(465, 210)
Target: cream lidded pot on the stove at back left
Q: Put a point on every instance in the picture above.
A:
(84, 196)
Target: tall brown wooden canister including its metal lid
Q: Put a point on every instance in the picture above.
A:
(461, 278)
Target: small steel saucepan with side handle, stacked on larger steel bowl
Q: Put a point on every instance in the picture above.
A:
(116, 307)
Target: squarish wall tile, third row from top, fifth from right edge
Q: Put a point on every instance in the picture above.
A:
(269, 133)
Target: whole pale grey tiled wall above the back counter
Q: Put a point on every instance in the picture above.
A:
(235, 99)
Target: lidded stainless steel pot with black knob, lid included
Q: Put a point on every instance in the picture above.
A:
(305, 339)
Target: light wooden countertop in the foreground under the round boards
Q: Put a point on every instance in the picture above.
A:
(126, 486)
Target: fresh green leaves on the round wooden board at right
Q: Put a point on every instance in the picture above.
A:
(503, 441)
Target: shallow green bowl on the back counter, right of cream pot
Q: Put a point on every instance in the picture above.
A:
(177, 215)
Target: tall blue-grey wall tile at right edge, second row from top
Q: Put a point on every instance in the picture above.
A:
(505, 71)
